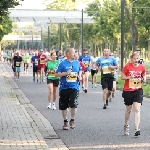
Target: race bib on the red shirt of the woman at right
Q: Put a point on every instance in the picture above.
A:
(135, 83)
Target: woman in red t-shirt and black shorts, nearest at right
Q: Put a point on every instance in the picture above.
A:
(134, 75)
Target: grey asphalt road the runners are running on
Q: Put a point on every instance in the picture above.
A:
(96, 128)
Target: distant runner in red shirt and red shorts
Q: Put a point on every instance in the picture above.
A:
(41, 65)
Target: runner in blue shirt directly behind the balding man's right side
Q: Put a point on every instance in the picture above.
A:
(86, 60)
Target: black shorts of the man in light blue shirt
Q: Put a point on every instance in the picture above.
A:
(107, 83)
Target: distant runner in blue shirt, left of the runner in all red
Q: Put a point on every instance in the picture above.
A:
(34, 61)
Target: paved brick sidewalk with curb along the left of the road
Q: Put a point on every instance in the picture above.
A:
(22, 126)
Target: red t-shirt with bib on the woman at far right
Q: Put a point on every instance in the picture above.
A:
(135, 83)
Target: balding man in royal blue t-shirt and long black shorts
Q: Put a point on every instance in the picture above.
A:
(69, 71)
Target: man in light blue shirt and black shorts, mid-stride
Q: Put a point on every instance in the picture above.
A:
(107, 64)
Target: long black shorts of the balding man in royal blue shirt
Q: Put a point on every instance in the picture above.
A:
(68, 98)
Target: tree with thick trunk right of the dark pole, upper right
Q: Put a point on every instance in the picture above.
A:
(137, 12)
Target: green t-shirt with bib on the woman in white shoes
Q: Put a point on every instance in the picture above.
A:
(51, 67)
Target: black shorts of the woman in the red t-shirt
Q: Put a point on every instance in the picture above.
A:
(132, 96)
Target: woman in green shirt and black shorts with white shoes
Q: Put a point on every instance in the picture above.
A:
(52, 80)
